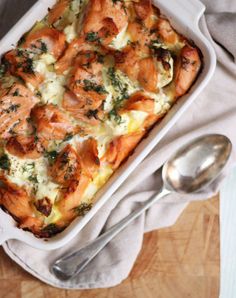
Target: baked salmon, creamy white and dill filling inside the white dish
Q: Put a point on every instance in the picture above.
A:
(77, 94)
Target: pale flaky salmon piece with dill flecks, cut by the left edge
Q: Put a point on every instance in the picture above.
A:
(15, 109)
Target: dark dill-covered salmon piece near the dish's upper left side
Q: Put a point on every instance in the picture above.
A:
(20, 64)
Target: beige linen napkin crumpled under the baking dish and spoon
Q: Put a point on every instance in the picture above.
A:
(213, 112)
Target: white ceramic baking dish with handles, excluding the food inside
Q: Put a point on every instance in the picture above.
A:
(184, 16)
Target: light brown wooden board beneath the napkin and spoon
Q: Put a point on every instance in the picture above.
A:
(177, 262)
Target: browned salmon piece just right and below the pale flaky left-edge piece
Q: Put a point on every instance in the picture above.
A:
(51, 123)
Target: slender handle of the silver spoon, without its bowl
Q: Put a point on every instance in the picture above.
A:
(72, 264)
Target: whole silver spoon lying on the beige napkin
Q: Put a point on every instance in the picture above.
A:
(189, 170)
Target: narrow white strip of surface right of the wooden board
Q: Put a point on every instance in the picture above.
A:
(228, 237)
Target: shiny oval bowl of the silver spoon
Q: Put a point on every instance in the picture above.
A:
(197, 164)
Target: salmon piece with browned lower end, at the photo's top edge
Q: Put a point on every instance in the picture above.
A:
(99, 13)
